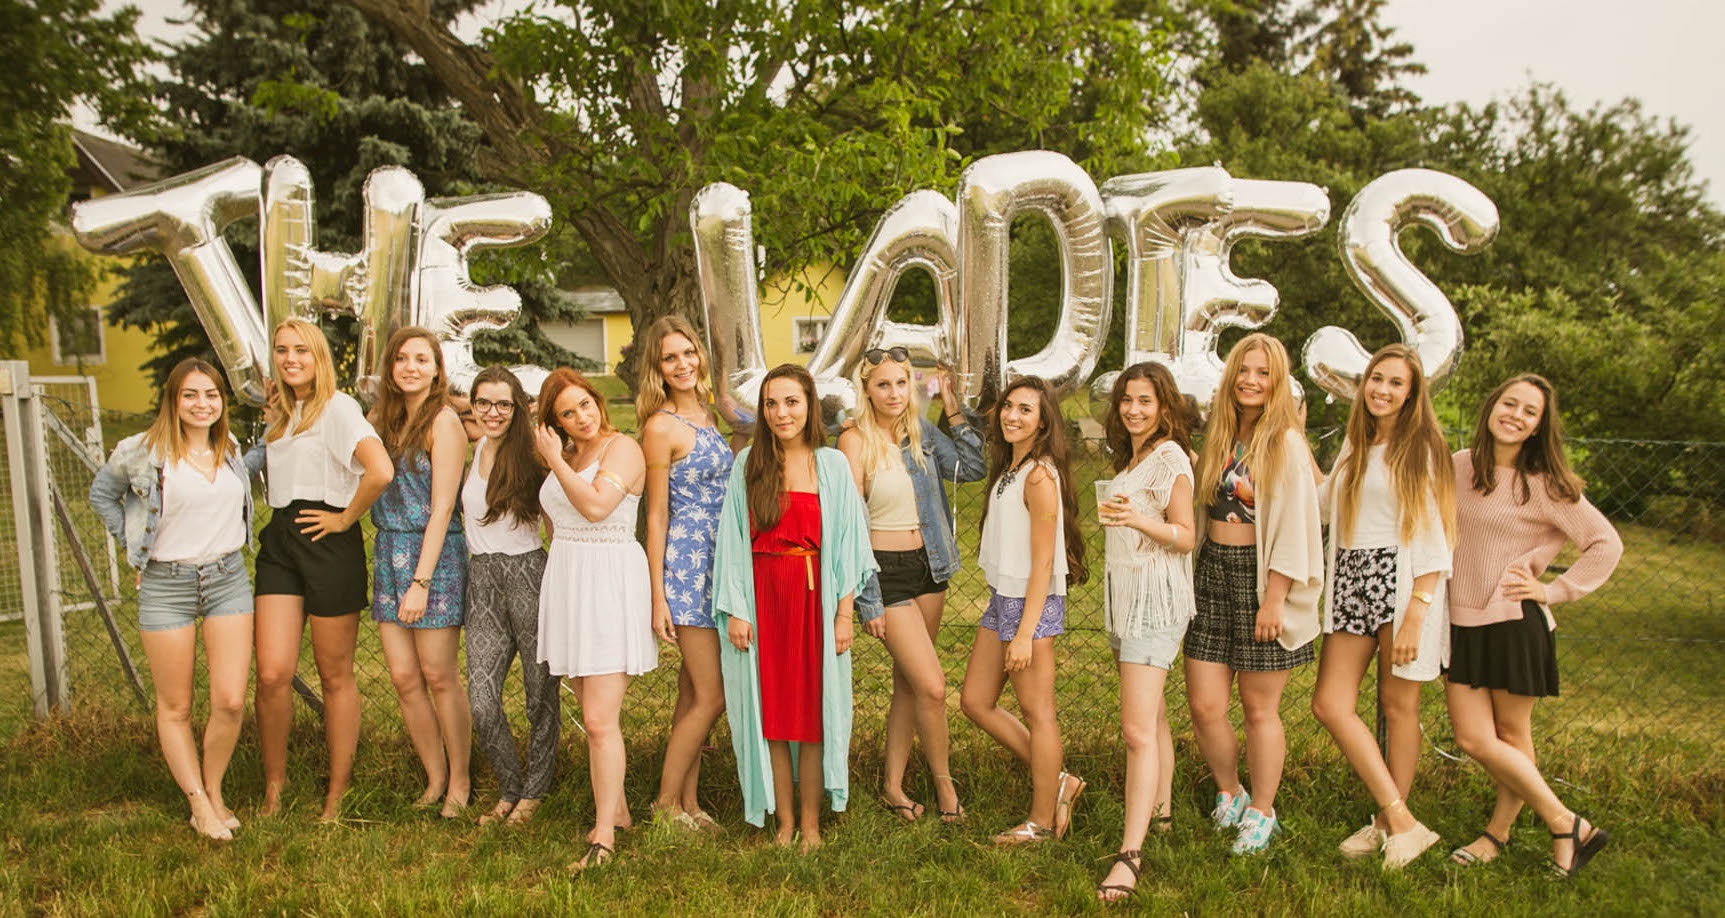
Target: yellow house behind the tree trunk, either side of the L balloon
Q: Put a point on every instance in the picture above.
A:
(793, 320)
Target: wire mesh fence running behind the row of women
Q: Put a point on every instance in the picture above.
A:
(1641, 660)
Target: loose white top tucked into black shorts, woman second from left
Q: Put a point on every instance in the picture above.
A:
(320, 465)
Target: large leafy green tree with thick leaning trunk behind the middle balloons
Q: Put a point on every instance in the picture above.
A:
(825, 111)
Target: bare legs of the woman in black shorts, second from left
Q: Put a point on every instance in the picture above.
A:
(279, 627)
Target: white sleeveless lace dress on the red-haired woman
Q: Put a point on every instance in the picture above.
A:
(596, 603)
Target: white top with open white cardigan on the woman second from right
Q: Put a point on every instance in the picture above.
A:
(1377, 525)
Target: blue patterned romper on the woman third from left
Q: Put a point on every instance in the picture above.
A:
(401, 515)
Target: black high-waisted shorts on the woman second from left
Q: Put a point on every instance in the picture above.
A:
(330, 574)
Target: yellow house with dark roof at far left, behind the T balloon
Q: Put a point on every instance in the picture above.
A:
(92, 346)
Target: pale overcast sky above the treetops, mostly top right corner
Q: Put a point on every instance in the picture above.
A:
(1665, 53)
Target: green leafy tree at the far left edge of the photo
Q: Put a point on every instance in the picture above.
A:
(58, 53)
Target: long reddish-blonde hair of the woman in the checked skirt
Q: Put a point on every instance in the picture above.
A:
(1265, 453)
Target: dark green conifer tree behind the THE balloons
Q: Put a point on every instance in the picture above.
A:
(317, 80)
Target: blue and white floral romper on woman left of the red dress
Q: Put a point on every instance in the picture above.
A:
(698, 489)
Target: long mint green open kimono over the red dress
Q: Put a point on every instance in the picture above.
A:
(846, 565)
